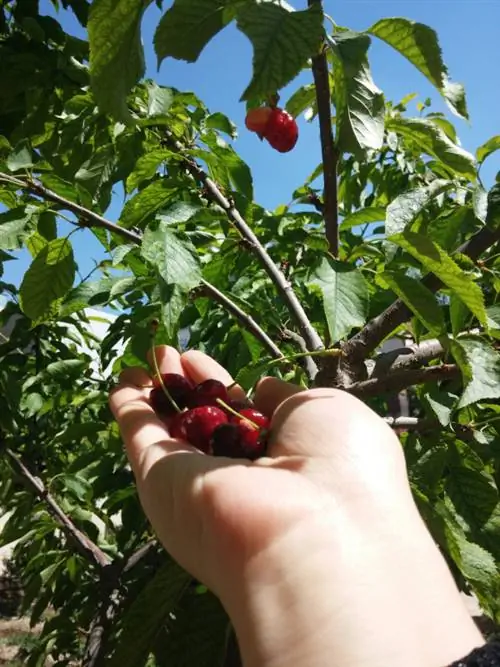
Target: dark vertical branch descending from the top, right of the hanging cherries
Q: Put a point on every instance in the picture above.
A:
(328, 149)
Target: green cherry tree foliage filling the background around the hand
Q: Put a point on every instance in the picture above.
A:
(418, 260)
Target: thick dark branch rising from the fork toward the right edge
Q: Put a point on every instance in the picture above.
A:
(366, 341)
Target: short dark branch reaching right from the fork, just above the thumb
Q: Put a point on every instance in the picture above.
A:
(398, 380)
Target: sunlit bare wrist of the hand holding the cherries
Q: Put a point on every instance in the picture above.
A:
(379, 595)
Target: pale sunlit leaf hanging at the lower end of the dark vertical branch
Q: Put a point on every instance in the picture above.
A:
(345, 296)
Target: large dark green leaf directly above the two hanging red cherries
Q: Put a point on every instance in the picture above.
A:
(282, 43)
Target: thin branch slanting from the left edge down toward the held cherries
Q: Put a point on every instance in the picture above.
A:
(94, 220)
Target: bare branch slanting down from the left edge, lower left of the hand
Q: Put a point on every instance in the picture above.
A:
(83, 544)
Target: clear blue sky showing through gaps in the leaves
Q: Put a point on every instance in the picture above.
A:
(468, 31)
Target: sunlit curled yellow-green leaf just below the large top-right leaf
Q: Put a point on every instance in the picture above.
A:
(432, 140)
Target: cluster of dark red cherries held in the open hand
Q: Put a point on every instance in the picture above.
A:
(208, 419)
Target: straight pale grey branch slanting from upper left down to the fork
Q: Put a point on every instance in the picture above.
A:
(282, 285)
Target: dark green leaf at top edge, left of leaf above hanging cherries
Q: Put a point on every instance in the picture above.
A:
(187, 27)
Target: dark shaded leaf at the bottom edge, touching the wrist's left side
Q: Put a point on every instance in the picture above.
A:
(198, 636)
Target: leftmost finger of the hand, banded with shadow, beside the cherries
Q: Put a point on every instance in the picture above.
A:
(146, 437)
